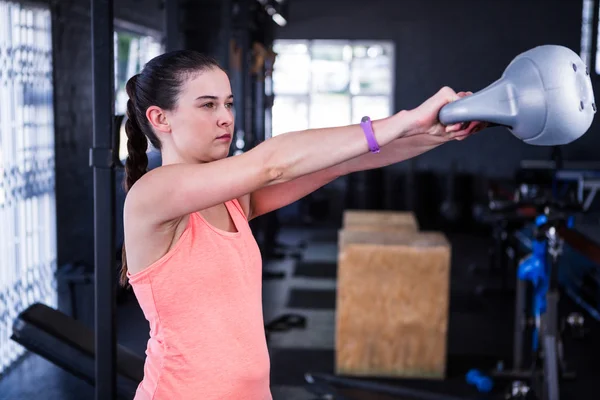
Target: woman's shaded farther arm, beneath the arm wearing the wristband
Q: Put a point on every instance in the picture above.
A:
(273, 197)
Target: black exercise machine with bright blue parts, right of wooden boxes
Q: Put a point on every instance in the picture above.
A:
(559, 259)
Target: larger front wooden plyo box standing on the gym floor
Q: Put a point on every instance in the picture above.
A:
(392, 304)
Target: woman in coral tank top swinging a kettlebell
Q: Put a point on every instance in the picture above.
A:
(191, 258)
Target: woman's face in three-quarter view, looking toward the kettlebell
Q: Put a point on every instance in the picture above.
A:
(202, 123)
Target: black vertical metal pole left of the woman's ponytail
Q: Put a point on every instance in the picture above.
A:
(104, 213)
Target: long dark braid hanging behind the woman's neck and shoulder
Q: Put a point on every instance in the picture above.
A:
(136, 164)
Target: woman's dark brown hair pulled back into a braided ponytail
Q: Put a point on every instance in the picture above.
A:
(159, 84)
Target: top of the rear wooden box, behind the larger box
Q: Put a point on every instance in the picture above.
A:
(371, 220)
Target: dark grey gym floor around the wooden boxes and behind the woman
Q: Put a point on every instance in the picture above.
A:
(480, 329)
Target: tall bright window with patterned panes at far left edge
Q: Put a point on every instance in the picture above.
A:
(27, 196)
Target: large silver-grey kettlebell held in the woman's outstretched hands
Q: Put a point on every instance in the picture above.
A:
(544, 97)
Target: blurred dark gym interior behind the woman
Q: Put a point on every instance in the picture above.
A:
(471, 271)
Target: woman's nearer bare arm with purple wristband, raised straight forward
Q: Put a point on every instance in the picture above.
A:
(169, 192)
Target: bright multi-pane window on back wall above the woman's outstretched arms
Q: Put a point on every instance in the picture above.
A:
(322, 83)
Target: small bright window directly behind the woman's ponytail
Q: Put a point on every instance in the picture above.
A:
(132, 52)
